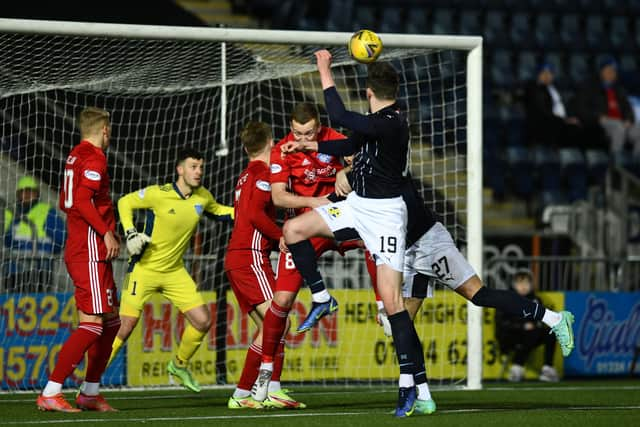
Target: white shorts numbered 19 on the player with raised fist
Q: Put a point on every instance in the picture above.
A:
(381, 224)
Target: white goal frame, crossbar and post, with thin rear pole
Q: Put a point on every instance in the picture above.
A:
(471, 44)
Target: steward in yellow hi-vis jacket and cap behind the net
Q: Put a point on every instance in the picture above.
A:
(32, 232)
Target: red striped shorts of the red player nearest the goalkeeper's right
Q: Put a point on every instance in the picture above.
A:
(252, 285)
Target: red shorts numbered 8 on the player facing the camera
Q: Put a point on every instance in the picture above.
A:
(289, 279)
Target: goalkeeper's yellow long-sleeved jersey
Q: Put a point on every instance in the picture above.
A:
(171, 220)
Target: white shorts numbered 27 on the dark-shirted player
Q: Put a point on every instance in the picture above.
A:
(435, 256)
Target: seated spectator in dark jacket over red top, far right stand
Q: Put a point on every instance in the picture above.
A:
(604, 103)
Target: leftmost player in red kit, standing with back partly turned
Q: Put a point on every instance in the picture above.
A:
(91, 245)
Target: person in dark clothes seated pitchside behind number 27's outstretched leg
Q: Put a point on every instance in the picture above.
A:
(522, 336)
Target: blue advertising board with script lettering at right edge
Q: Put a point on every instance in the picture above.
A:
(607, 331)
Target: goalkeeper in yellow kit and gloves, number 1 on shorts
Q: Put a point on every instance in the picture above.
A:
(156, 264)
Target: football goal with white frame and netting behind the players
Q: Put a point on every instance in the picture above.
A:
(167, 88)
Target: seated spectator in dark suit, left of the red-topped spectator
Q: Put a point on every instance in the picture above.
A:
(547, 119)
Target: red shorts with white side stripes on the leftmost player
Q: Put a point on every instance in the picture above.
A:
(96, 292)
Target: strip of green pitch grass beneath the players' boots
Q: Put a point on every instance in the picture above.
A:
(611, 403)
